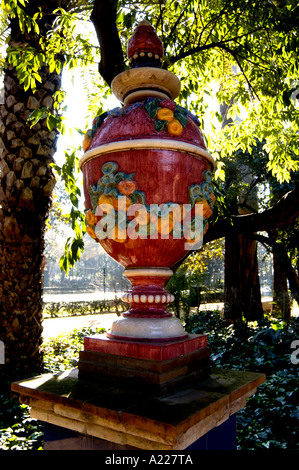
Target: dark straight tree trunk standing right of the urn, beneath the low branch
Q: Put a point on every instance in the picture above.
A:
(242, 287)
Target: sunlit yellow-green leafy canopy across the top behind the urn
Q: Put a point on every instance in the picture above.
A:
(239, 52)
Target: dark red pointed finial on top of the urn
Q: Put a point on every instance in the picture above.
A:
(145, 48)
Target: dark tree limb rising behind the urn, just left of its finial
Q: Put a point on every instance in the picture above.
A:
(103, 17)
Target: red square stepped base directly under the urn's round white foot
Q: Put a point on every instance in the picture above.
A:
(162, 366)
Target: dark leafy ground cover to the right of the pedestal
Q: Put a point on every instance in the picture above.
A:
(270, 418)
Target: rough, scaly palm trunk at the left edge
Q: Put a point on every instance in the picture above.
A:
(27, 182)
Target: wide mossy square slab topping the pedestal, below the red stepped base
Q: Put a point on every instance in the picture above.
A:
(125, 416)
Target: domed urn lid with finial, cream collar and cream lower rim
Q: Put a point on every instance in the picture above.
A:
(149, 118)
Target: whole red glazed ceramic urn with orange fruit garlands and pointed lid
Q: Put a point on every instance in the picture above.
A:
(147, 184)
